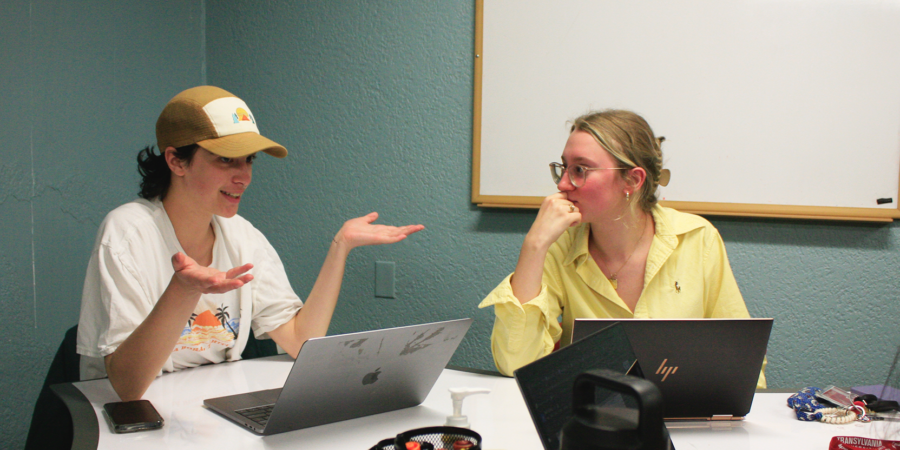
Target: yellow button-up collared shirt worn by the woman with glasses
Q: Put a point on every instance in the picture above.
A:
(687, 276)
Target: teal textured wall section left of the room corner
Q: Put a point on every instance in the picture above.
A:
(82, 83)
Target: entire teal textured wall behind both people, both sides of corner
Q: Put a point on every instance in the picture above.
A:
(374, 102)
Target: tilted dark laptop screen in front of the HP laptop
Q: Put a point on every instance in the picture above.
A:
(547, 383)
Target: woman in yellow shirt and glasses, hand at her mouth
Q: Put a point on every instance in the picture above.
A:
(603, 248)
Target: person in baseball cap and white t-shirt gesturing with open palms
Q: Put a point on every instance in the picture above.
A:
(177, 278)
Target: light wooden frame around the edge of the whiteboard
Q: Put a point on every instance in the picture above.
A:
(879, 214)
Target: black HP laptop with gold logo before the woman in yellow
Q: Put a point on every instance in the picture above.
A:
(707, 369)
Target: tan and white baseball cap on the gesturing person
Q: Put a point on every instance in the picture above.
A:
(214, 119)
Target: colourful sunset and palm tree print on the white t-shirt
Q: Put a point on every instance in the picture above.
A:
(213, 327)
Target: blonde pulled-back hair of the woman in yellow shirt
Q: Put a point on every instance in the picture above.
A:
(629, 139)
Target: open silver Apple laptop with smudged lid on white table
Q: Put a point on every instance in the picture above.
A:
(349, 375)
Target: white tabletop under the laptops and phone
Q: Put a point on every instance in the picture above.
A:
(500, 417)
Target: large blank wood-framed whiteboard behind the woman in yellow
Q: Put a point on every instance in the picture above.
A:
(773, 108)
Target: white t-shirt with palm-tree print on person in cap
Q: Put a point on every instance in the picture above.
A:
(131, 267)
